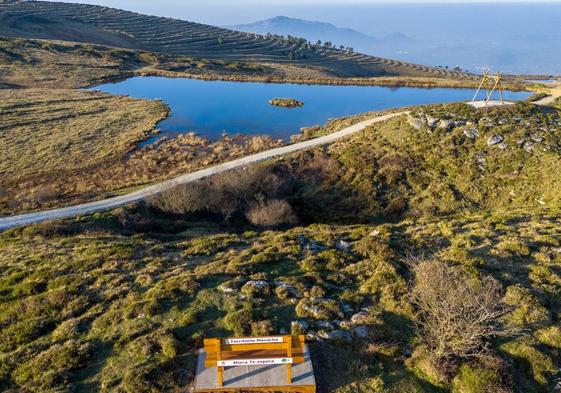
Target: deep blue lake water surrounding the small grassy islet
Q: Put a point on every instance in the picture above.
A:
(211, 108)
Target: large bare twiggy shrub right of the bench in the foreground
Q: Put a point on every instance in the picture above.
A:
(457, 313)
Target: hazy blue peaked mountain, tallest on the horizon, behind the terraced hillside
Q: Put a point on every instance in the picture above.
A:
(314, 31)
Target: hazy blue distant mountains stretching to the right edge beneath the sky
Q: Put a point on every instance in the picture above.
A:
(533, 53)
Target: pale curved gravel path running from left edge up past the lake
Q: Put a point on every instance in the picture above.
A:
(86, 208)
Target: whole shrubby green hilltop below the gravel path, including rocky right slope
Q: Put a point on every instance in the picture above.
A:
(321, 242)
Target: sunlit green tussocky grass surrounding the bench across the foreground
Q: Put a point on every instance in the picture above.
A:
(130, 308)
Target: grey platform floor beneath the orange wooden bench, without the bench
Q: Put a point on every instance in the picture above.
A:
(256, 378)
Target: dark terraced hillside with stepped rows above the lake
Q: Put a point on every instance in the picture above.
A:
(113, 27)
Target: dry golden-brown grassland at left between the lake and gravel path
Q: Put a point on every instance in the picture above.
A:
(83, 147)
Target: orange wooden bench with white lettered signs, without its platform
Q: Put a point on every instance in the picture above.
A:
(245, 351)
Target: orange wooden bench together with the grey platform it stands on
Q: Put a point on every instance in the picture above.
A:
(276, 363)
